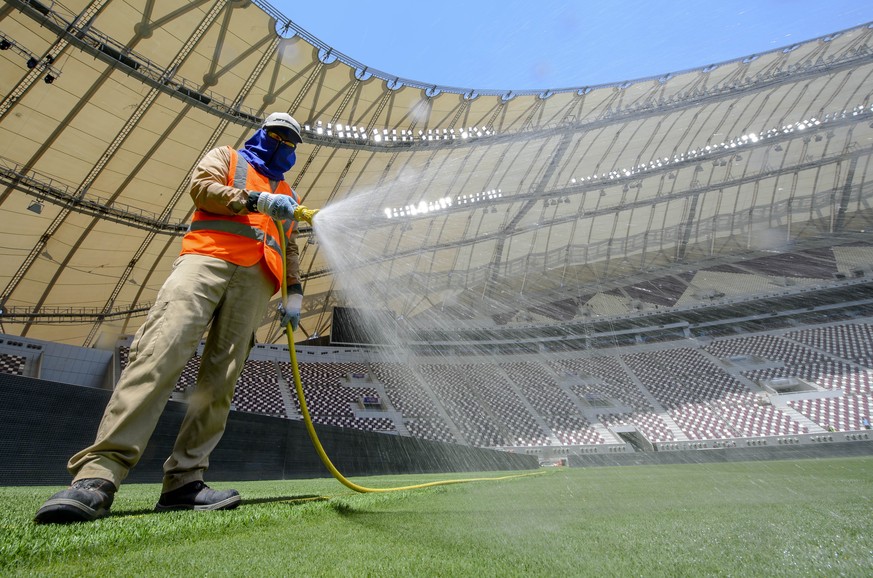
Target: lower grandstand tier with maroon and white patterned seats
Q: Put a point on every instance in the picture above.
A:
(796, 383)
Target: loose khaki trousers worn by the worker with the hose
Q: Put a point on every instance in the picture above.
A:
(199, 290)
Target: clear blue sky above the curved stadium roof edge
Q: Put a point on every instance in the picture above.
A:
(548, 44)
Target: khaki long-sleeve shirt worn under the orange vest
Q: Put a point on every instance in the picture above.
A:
(211, 194)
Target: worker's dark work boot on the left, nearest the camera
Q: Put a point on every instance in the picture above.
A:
(83, 501)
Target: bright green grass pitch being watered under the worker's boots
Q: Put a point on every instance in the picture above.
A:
(781, 518)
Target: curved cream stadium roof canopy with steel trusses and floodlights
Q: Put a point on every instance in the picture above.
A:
(484, 207)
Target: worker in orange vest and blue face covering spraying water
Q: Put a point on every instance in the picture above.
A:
(229, 268)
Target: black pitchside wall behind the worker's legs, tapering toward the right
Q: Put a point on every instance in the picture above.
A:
(43, 423)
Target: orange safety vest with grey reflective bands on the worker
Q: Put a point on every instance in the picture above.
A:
(241, 239)
